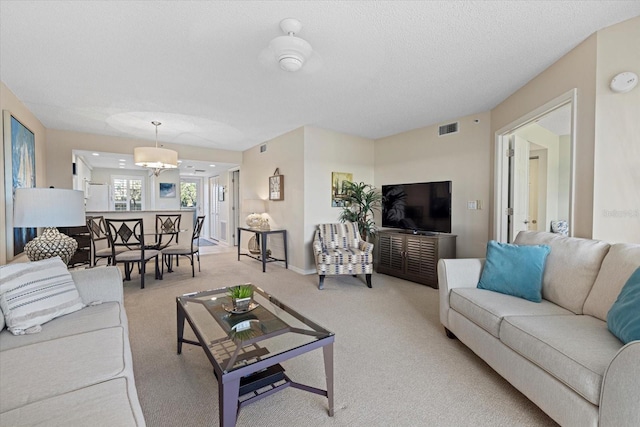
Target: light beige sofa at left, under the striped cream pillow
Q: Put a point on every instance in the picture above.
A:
(78, 370)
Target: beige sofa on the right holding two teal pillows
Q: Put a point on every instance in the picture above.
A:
(559, 352)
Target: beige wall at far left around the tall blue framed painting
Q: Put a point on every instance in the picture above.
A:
(9, 102)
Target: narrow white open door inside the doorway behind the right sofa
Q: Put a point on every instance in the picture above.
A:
(519, 186)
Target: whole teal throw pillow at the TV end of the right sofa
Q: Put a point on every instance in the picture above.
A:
(514, 269)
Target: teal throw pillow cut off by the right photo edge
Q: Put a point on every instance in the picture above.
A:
(623, 319)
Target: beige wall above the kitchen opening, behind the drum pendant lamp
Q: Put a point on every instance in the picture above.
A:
(60, 145)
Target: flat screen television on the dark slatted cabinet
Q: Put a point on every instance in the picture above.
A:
(418, 207)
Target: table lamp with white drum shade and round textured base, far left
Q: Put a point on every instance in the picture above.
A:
(49, 208)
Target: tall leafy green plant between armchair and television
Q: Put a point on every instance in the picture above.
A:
(362, 200)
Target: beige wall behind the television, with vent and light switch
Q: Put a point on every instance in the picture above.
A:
(421, 155)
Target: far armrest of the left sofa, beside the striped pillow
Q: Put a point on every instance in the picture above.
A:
(99, 284)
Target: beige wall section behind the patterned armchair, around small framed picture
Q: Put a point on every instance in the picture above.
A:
(327, 151)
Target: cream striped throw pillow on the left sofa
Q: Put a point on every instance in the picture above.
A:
(34, 293)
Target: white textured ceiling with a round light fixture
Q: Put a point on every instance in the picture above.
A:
(110, 67)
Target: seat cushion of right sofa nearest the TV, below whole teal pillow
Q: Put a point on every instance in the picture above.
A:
(486, 308)
